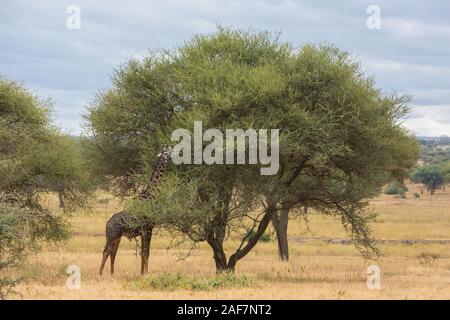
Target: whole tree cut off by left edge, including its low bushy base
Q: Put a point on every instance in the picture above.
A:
(31, 160)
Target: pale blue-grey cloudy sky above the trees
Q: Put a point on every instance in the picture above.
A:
(405, 45)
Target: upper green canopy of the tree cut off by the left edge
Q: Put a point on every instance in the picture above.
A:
(35, 158)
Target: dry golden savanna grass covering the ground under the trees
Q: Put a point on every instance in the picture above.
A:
(317, 269)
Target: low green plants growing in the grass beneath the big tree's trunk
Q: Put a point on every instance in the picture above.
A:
(178, 281)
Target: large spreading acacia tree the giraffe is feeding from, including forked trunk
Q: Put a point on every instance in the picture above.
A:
(339, 136)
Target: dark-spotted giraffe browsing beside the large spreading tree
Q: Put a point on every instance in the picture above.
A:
(125, 224)
